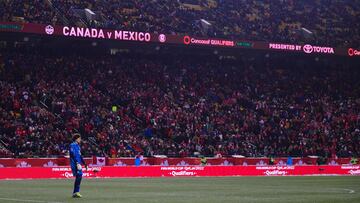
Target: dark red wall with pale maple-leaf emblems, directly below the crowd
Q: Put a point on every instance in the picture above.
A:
(102, 161)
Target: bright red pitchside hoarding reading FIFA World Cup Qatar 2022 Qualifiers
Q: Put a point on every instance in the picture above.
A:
(178, 171)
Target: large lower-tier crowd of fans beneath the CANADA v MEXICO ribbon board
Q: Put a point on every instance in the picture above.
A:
(174, 106)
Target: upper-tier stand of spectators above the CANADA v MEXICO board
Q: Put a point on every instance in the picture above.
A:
(322, 22)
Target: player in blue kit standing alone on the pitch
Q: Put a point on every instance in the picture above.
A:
(76, 161)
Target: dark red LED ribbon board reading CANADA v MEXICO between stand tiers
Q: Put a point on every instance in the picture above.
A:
(145, 37)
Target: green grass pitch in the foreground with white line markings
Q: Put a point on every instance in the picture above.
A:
(229, 189)
